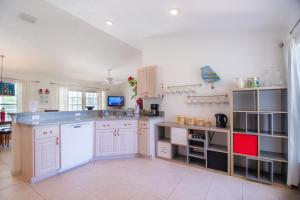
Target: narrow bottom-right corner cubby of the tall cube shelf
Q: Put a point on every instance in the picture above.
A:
(280, 172)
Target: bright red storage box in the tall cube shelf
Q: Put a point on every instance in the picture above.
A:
(245, 144)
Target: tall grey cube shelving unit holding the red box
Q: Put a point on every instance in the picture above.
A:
(260, 134)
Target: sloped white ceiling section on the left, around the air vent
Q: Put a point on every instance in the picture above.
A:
(59, 44)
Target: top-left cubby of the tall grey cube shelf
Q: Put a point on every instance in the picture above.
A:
(245, 100)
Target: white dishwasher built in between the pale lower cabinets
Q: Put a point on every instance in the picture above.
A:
(76, 144)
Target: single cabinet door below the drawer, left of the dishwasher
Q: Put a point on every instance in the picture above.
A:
(46, 155)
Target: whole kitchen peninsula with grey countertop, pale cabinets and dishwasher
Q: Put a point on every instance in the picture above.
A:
(46, 144)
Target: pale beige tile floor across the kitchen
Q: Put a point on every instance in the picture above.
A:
(137, 179)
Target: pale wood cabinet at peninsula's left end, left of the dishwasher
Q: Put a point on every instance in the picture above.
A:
(40, 150)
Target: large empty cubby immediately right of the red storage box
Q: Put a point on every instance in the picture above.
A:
(274, 148)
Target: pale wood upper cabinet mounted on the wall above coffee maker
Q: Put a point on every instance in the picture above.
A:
(147, 82)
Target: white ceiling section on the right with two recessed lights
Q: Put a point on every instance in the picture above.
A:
(137, 19)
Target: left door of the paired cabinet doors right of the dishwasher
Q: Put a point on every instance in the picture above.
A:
(105, 144)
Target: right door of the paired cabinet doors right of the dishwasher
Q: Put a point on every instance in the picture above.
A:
(126, 141)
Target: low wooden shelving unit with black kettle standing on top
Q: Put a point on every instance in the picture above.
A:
(200, 146)
